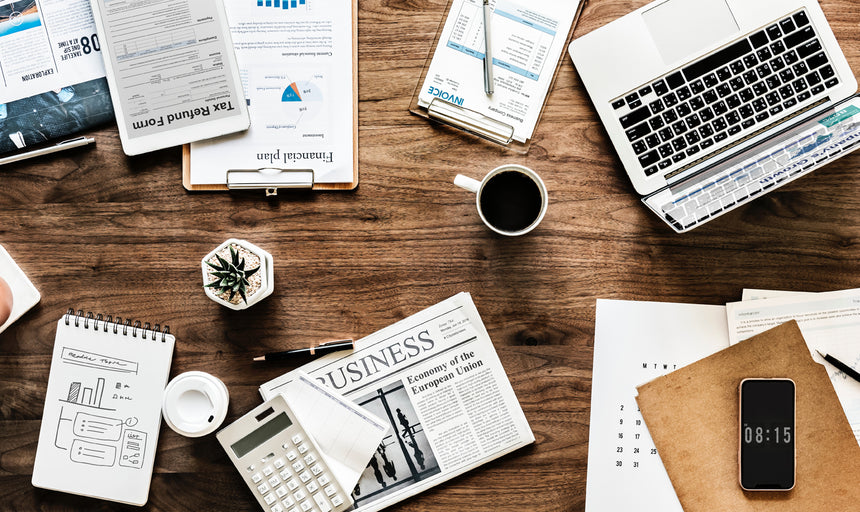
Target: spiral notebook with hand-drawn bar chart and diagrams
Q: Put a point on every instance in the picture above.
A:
(103, 407)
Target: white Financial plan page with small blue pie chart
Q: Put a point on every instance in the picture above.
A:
(296, 63)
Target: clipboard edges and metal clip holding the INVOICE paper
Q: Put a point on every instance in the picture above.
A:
(472, 122)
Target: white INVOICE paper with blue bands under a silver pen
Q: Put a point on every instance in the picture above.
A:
(526, 41)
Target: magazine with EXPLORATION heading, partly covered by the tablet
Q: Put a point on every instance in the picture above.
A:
(51, 72)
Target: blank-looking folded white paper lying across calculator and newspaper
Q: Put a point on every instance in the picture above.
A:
(346, 434)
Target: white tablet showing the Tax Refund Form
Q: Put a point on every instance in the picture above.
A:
(171, 70)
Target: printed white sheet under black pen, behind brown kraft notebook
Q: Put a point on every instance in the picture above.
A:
(829, 321)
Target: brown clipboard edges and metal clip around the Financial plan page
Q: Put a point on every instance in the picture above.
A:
(273, 178)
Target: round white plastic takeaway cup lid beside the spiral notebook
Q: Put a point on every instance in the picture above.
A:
(195, 404)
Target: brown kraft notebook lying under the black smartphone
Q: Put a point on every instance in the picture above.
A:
(692, 415)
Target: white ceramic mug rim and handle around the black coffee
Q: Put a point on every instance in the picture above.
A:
(507, 203)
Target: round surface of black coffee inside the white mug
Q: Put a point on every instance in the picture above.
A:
(511, 201)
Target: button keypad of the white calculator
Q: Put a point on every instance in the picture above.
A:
(297, 481)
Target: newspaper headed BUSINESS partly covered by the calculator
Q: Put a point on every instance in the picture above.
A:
(436, 378)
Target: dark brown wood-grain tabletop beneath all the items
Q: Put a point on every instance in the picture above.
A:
(97, 230)
